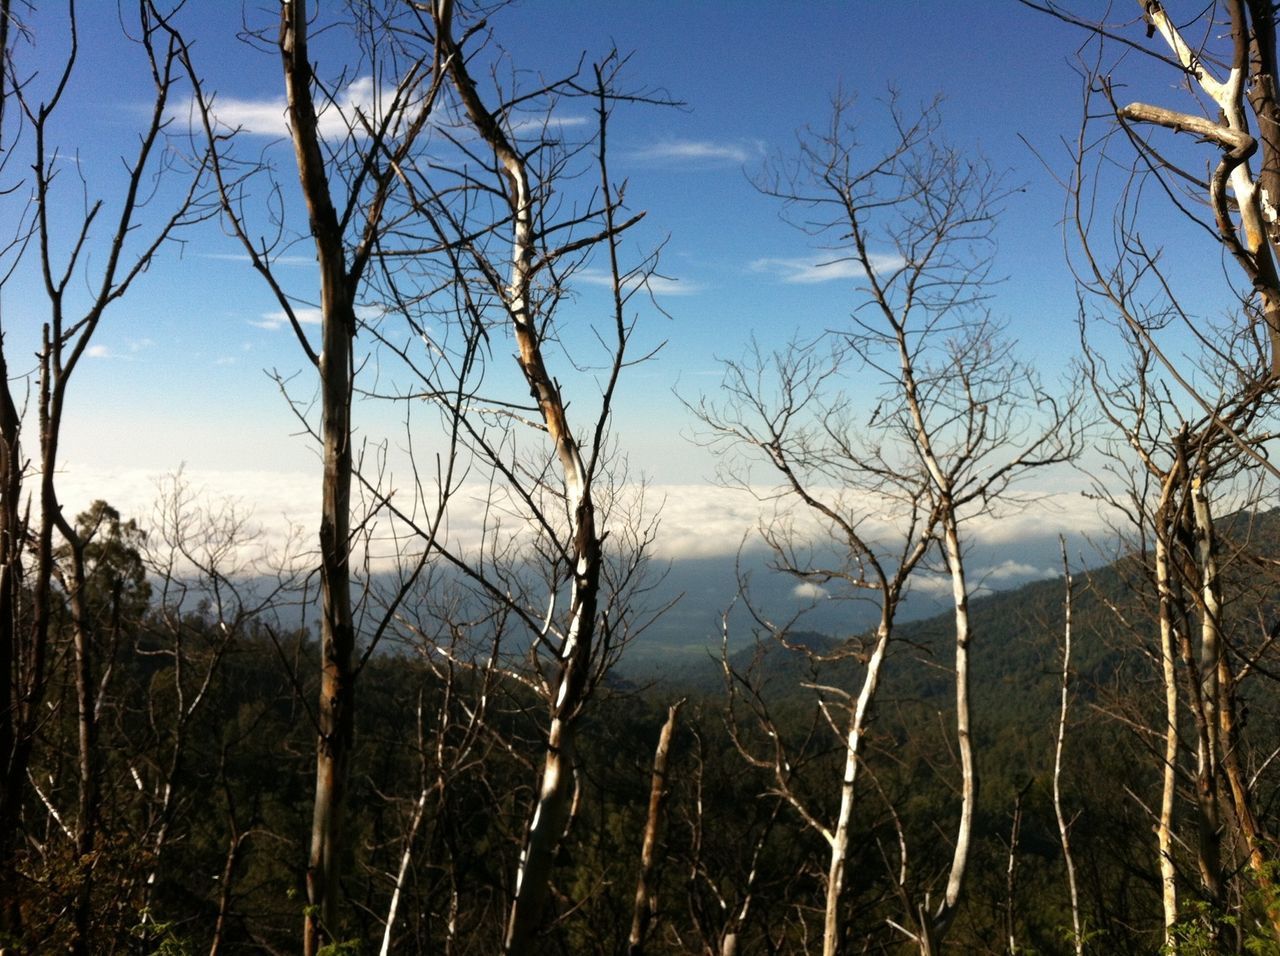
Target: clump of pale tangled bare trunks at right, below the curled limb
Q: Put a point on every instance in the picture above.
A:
(1187, 469)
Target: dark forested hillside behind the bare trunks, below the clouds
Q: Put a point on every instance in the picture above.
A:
(205, 807)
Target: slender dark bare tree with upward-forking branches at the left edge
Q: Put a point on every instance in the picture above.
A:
(132, 228)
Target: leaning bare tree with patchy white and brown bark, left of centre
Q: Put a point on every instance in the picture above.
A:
(572, 649)
